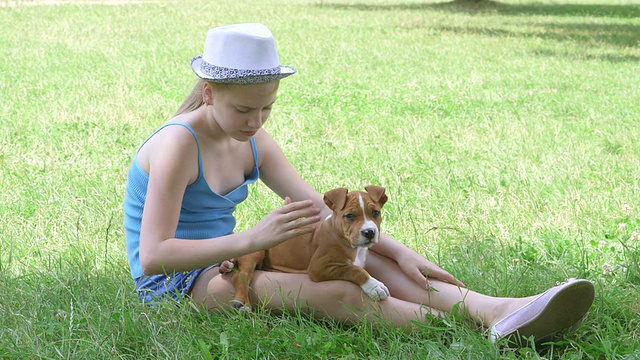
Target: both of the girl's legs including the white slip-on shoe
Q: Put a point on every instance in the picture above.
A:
(345, 302)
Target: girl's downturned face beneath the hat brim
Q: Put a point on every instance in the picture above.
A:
(241, 110)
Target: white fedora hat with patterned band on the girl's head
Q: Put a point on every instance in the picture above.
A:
(240, 54)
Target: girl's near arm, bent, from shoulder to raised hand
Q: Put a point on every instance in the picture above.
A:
(169, 175)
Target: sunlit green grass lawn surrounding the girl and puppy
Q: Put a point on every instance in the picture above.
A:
(506, 134)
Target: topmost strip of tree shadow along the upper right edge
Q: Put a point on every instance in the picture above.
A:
(490, 6)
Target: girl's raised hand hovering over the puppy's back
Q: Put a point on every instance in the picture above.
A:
(292, 219)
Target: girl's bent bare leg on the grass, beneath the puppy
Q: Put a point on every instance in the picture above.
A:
(338, 300)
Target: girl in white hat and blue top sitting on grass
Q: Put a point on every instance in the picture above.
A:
(187, 178)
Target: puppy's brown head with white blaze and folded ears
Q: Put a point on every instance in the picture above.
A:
(357, 214)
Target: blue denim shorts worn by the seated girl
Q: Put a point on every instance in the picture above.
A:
(173, 286)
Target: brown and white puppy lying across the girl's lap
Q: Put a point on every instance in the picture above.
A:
(336, 250)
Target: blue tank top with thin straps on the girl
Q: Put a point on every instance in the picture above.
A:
(204, 213)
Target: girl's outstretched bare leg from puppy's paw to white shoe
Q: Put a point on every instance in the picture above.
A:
(484, 310)
